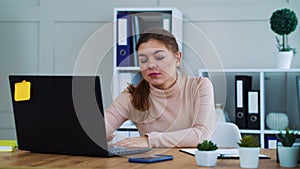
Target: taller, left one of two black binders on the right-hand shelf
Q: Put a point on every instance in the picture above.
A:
(242, 86)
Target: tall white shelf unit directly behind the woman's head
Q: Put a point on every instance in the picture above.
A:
(166, 17)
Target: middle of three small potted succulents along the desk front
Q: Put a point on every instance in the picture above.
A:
(249, 148)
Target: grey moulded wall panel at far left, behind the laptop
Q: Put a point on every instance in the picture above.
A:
(19, 54)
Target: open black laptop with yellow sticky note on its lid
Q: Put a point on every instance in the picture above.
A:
(61, 115)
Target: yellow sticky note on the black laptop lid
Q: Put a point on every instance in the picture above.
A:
(22, 91)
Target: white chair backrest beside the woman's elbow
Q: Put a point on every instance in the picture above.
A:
(226, 135)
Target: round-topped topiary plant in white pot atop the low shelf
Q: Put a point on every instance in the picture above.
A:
(283, 22)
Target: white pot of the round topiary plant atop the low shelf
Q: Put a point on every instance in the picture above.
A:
(284, 59)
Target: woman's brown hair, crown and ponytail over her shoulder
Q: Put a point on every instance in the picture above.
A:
(140, 93)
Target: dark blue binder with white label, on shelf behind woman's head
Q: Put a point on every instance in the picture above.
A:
(123, 40)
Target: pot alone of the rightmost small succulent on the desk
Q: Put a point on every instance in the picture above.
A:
(288, 156)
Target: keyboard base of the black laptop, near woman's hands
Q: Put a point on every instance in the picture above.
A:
(115, 150)
